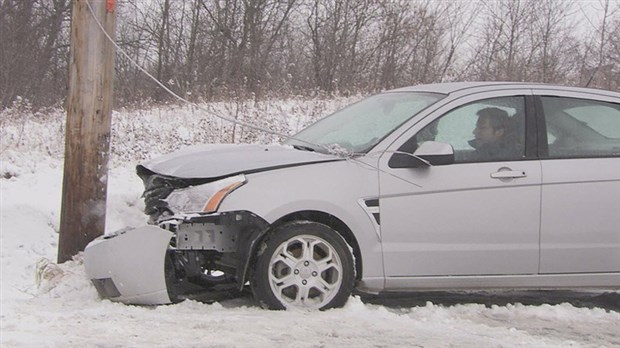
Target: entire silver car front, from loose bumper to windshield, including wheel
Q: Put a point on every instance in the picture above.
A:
(292, 221)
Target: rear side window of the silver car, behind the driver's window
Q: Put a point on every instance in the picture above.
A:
(581, 128)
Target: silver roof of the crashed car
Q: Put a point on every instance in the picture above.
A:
(478, 86)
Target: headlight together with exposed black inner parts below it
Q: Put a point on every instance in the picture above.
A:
(204, 252)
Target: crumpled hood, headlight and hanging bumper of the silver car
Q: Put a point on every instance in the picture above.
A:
(205, 251)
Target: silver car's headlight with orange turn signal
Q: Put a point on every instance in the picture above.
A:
(203, 198)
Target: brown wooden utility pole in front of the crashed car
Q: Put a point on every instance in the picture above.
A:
(87, 142)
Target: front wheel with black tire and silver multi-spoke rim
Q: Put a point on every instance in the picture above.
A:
(303, 265)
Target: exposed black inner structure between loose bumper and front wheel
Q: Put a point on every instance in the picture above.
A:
(207, 243)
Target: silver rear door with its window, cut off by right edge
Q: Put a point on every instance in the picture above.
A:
(580, 222)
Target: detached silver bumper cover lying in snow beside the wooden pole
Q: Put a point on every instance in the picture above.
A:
(129, 266)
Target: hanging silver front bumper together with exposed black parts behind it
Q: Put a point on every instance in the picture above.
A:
(157, 265)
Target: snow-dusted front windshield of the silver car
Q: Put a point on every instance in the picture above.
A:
(359, 127)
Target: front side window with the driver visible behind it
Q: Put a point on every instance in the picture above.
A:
(485, 130)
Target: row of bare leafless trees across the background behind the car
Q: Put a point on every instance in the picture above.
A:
(206, 49)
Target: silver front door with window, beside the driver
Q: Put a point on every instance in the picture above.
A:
(473, 217)
